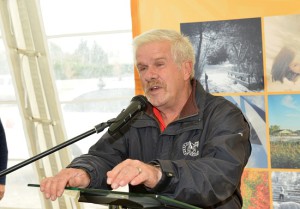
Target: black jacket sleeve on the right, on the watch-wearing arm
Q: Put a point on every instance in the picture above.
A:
(215, 176)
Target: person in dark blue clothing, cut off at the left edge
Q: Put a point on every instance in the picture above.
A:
(3, 153)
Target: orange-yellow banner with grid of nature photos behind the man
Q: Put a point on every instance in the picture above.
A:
(240, 40)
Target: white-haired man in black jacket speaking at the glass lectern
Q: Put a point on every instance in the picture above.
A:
(188, 144)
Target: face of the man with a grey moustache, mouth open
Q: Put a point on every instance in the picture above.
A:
(161, 78)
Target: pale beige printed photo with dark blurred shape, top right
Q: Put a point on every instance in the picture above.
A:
(282, 41)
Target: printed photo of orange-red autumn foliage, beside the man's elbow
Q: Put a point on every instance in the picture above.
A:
(255, 189)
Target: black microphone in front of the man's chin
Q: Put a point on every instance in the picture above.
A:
(137, 104)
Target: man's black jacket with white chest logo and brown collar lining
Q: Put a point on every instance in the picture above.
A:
(202, 154)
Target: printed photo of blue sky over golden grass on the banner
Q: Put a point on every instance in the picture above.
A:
(284, 130)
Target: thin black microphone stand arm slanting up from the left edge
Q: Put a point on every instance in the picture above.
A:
(97, 129)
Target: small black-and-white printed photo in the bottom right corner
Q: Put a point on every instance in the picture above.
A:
(286, 190)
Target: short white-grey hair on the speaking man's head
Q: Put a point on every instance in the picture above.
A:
(181, 47)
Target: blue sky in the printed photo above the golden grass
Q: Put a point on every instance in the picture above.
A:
(284, 111)
